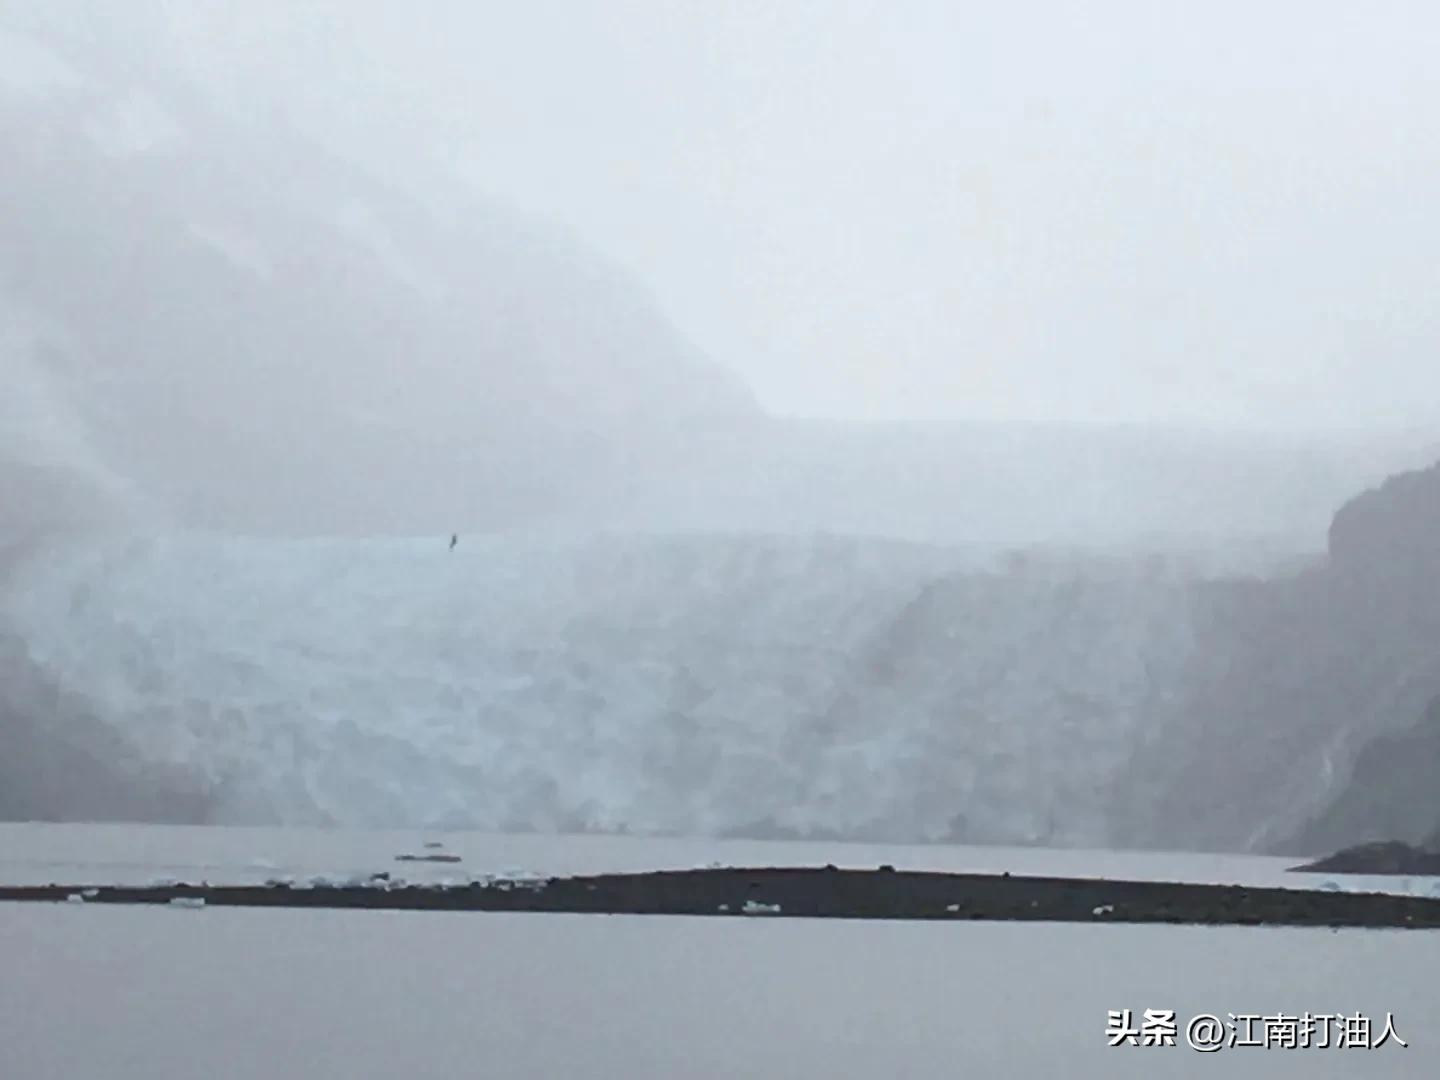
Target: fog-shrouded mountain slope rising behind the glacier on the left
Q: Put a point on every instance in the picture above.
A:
(263, 338)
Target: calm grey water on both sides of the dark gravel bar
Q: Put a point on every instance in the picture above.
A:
(165, 994)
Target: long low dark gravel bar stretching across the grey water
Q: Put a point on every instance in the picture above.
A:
(816, 894)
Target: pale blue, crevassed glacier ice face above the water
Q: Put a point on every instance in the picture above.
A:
(703, 685)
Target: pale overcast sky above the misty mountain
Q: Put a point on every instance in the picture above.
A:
(1215, 214)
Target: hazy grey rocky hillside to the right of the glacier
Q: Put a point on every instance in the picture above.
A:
(1291, 682)
